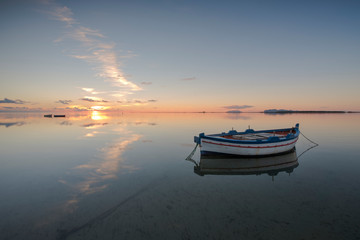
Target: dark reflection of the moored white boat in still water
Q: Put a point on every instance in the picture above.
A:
(272, 165)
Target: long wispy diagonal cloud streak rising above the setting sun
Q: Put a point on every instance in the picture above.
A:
(94, 49)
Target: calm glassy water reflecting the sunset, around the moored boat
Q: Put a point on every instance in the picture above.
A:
(124, 176)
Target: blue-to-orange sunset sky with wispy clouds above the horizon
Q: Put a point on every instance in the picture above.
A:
(175, 56)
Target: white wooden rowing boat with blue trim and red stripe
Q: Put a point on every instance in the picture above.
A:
(249, 143)
